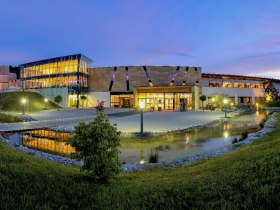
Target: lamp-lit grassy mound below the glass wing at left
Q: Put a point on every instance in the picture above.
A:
(11, 101)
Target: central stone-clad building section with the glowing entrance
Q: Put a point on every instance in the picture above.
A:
(158, 87)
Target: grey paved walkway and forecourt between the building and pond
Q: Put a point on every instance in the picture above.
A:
(153, 121)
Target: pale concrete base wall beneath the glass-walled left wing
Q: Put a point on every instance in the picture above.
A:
(50, 93)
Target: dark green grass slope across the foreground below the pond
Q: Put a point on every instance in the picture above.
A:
(248, 178)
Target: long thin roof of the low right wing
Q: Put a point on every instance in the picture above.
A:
(240, 77)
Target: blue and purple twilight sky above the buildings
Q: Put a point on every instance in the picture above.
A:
(221, 36)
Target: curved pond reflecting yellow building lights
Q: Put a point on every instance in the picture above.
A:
(170, 146)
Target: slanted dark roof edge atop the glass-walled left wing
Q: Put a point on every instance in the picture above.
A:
(50, 60)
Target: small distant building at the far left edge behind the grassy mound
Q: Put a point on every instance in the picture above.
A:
(8, 80)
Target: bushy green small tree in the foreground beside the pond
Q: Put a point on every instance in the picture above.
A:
(96, 143)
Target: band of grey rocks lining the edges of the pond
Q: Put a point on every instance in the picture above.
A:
(268, 127)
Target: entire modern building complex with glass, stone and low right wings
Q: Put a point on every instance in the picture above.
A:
(157, 87)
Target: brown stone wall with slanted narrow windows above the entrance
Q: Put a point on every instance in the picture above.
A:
(100, 78)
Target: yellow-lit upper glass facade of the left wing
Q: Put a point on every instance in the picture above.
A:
(67, 71)
